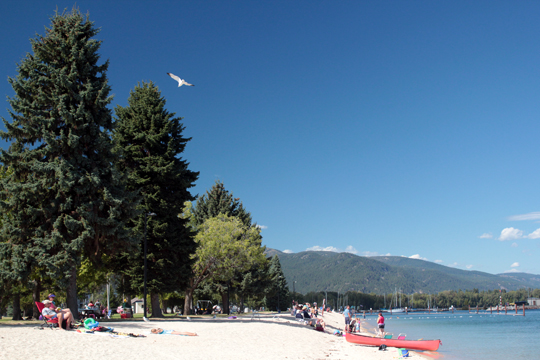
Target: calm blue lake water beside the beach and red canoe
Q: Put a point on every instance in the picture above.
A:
(467, 335)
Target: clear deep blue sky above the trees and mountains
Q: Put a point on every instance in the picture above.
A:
(407, 128)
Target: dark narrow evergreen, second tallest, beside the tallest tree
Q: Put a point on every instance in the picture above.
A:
(149, 139)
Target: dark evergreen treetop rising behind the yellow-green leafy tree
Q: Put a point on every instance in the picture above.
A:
(217, 201)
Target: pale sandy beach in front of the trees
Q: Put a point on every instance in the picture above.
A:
(271, 337)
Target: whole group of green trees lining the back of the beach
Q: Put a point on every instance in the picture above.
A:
(84, 188)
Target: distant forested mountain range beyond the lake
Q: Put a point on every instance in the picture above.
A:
(323, 270)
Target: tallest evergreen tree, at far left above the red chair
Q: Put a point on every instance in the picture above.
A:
(64, 197)
